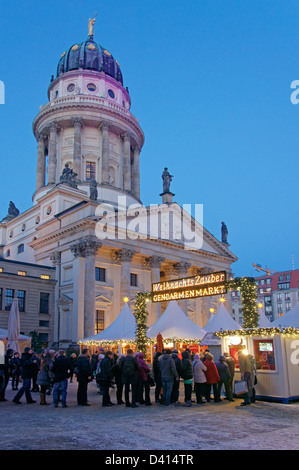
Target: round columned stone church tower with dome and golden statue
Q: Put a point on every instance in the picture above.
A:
(87, 125)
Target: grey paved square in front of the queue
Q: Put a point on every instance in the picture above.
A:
(220, 426)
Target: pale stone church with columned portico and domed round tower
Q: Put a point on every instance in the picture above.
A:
(88, 148)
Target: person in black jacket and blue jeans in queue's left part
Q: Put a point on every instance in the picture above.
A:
(61, 370)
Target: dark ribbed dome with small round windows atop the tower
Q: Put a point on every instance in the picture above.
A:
(89, 55)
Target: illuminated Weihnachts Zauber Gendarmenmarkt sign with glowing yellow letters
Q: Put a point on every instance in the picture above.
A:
(190, 287)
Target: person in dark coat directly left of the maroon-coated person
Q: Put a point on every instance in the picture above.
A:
(129, 375)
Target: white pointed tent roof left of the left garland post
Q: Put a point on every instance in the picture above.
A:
(122, 329)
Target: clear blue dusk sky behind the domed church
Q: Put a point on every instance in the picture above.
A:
(210, 82)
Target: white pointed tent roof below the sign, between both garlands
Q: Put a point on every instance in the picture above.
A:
(174, 325)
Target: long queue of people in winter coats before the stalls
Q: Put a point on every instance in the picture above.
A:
(50, 373)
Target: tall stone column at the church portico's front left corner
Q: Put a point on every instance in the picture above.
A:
(87, 249)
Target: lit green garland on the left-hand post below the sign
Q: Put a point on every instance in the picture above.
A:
(141, 315)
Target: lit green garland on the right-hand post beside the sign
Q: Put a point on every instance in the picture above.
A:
(247, 288)
